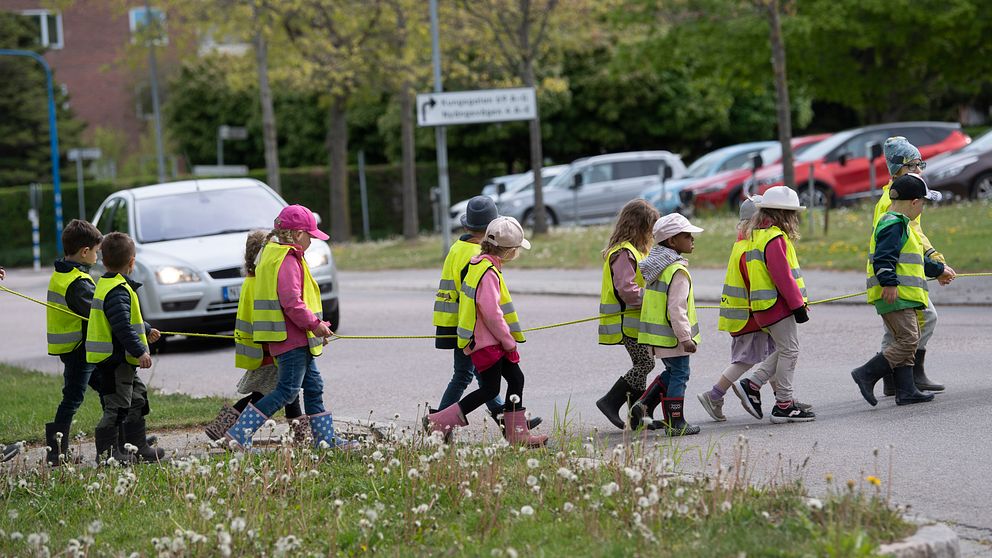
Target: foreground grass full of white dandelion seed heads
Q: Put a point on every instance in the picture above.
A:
(414, 496)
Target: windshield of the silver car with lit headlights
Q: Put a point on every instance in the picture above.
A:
(205, 213)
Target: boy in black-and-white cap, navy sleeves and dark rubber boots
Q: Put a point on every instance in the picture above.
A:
(898, 268)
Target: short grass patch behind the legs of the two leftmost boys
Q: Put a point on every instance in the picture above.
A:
(29, 400)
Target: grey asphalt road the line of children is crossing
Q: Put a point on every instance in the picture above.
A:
(941, 453)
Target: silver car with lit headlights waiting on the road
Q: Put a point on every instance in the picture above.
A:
(190, 240)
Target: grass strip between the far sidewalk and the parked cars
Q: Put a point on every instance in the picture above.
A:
(958, 230)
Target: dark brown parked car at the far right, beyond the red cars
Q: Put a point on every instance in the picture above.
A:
(965, 173)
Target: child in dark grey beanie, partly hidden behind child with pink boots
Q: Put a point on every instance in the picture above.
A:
(481, 210)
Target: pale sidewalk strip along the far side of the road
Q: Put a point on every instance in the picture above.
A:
(707, 283)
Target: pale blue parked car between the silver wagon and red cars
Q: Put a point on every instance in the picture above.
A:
(717, 162)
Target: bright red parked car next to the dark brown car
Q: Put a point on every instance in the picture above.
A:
(840, 163)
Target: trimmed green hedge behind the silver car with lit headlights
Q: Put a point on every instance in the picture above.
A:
(307, 186)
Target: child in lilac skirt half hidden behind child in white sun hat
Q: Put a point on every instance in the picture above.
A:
(749, 344)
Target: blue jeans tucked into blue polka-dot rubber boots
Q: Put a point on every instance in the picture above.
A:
(297, 369)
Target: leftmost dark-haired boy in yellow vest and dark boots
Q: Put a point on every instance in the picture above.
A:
(70, 290)
